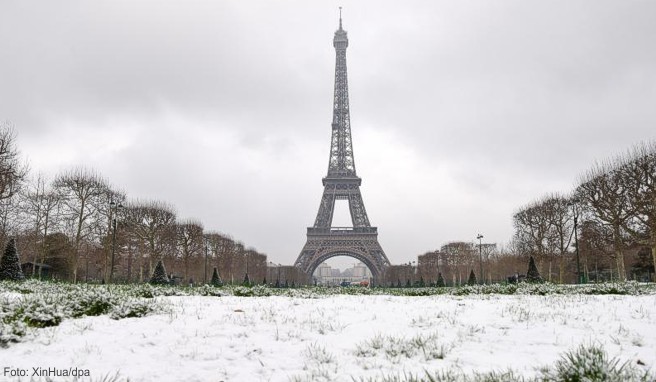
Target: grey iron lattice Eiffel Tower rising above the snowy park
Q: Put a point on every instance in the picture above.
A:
(342, 182)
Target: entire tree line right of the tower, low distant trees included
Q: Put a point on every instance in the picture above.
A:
(603, 229)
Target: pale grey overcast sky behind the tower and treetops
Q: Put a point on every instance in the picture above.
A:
(461, 111)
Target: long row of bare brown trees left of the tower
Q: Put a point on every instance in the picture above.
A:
(79, 227)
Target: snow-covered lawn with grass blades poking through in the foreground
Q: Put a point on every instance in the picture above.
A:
(340, 337)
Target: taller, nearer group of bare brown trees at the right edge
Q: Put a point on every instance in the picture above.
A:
(611, 215)
